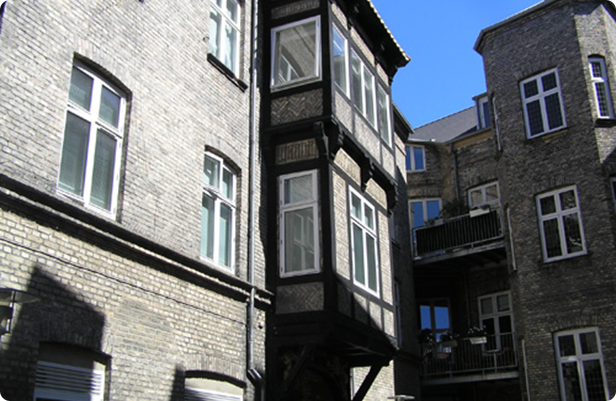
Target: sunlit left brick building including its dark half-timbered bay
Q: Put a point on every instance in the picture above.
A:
(139, 144)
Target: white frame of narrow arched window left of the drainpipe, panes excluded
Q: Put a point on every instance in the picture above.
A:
(220, 199)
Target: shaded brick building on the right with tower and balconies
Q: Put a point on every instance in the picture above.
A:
(513, 216)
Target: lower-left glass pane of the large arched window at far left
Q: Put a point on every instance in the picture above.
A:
(74, 153)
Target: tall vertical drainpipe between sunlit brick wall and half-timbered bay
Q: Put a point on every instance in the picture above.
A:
(253, 375)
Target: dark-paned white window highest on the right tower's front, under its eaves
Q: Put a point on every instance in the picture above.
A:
(543, 106)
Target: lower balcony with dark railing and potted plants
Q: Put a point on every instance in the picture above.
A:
(467, 362)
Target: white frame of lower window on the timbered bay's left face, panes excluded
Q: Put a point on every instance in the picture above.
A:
(285, 208)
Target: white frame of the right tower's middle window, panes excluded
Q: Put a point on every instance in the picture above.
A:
(559, 215)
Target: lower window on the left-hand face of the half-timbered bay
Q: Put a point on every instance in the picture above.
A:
(299, 233)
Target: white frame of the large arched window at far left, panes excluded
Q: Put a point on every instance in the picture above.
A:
(97, 125)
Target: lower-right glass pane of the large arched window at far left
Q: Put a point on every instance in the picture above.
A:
(102, 174)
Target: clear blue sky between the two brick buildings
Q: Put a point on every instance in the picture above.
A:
(445, 72)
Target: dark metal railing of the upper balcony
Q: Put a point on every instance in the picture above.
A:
(465, 231)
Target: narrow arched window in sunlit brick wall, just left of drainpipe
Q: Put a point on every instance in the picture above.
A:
(218, 211)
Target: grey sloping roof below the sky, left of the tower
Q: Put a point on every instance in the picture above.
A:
(447, 128)
